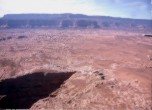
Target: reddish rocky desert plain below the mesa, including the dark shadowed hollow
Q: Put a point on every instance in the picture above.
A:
(75, 69)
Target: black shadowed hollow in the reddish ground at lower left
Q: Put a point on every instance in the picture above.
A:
(22, 92)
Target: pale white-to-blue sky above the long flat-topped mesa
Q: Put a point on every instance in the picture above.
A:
(137, 9)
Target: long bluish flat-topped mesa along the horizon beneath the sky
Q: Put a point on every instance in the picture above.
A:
(72, 21)
